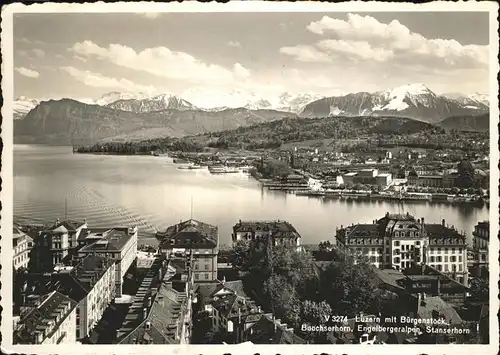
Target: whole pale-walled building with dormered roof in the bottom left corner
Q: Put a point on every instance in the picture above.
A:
(51, 321)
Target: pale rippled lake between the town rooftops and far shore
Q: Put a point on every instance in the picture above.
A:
(152, 193)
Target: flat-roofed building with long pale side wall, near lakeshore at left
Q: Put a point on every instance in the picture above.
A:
(117, 244)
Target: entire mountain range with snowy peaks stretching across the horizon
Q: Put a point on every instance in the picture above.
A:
(139, 116)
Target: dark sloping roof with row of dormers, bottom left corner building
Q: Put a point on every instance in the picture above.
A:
(44, 319)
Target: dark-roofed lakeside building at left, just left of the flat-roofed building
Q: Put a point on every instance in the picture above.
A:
(55, 244)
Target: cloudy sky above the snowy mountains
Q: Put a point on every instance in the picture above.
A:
(211, 59)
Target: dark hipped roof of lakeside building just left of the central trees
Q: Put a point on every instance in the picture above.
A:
(190, 234)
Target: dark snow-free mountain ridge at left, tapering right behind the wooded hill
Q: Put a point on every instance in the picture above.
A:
(69, 121)
